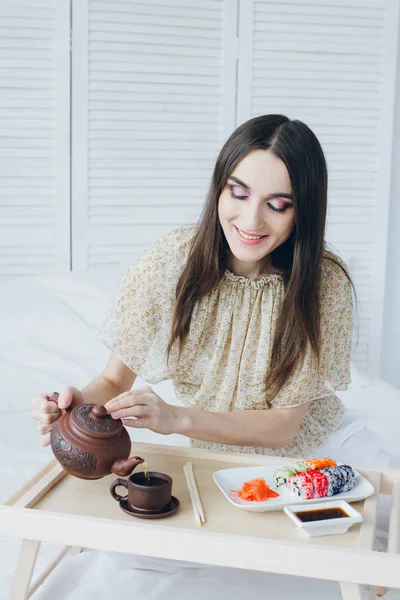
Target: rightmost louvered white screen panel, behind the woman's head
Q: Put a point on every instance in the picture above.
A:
(331, 64)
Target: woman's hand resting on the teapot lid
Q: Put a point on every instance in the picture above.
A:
(150, 410)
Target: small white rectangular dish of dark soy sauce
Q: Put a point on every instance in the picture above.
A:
(324, 526)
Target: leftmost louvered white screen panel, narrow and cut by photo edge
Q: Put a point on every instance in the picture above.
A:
(34, 137)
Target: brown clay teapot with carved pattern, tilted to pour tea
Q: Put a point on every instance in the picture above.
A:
(90, 444)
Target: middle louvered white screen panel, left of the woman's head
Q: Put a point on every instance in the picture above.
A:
(150, 123)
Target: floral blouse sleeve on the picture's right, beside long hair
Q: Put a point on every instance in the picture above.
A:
(305, 383)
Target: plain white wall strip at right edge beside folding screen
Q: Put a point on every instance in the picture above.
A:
(390, 361)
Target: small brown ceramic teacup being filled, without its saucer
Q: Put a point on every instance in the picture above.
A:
(146, 497)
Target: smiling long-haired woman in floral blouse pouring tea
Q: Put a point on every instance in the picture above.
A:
(247, 312)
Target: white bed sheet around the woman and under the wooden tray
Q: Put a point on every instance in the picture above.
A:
(49, 340)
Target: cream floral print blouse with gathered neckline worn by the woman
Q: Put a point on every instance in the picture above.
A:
(227, 350)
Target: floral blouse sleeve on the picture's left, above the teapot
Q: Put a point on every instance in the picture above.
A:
(138, 320)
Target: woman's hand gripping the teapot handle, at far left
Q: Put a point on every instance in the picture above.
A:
(46, 411)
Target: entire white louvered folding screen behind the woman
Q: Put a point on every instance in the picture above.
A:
(156, 88)
